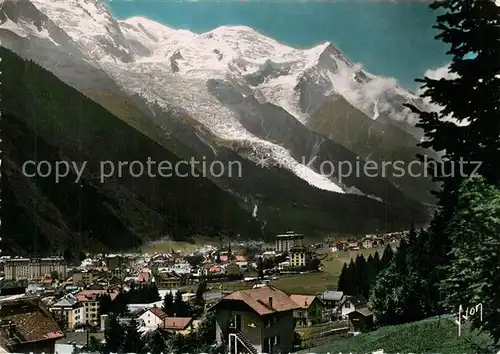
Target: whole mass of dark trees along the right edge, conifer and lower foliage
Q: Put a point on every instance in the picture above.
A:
(456, 260)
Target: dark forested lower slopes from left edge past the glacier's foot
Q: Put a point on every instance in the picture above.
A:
(43, 119)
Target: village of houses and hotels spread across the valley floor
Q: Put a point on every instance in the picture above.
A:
(265, 298)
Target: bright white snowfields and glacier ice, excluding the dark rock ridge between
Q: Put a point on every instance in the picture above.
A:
(141, 55)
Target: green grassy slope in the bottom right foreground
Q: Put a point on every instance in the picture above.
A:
(432, 335)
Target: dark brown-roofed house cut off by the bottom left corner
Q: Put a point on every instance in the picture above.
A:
(27, 326)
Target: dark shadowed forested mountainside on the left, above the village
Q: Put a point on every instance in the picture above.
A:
(45, 119)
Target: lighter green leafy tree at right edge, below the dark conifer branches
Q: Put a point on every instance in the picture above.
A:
(473, 274)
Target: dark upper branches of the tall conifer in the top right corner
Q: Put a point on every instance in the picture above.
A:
(470, 95)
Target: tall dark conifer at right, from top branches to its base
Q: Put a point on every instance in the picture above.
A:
(469, 95)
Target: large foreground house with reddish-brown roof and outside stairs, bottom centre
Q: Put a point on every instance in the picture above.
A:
(256, 321)
